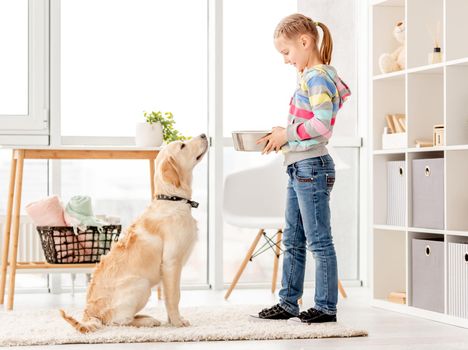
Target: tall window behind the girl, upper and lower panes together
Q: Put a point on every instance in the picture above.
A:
(257, 90)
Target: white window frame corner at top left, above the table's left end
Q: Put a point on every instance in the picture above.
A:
(33, 128)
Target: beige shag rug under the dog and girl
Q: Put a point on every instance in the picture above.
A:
(46, 327)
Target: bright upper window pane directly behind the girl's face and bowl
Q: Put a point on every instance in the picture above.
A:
(257, 83)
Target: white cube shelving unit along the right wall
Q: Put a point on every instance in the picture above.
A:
(428, 94)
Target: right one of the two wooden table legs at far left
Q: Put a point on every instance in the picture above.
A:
(15, 229)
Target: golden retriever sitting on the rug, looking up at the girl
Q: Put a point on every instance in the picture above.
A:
(153, 250)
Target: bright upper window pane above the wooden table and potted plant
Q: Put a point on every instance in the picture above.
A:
(122, 57)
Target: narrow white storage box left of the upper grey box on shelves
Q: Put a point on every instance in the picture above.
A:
(396, 193)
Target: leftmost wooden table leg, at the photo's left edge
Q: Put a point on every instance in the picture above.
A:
(7, 229)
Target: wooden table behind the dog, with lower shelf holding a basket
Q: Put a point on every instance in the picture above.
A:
(12, 221)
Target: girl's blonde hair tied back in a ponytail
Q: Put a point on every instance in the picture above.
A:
(292, 26)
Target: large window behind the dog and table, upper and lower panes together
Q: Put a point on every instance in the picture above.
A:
(149, 55)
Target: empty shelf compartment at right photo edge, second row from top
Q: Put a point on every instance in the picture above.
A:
(456, 106)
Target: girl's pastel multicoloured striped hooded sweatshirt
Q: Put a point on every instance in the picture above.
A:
(312, 113)
